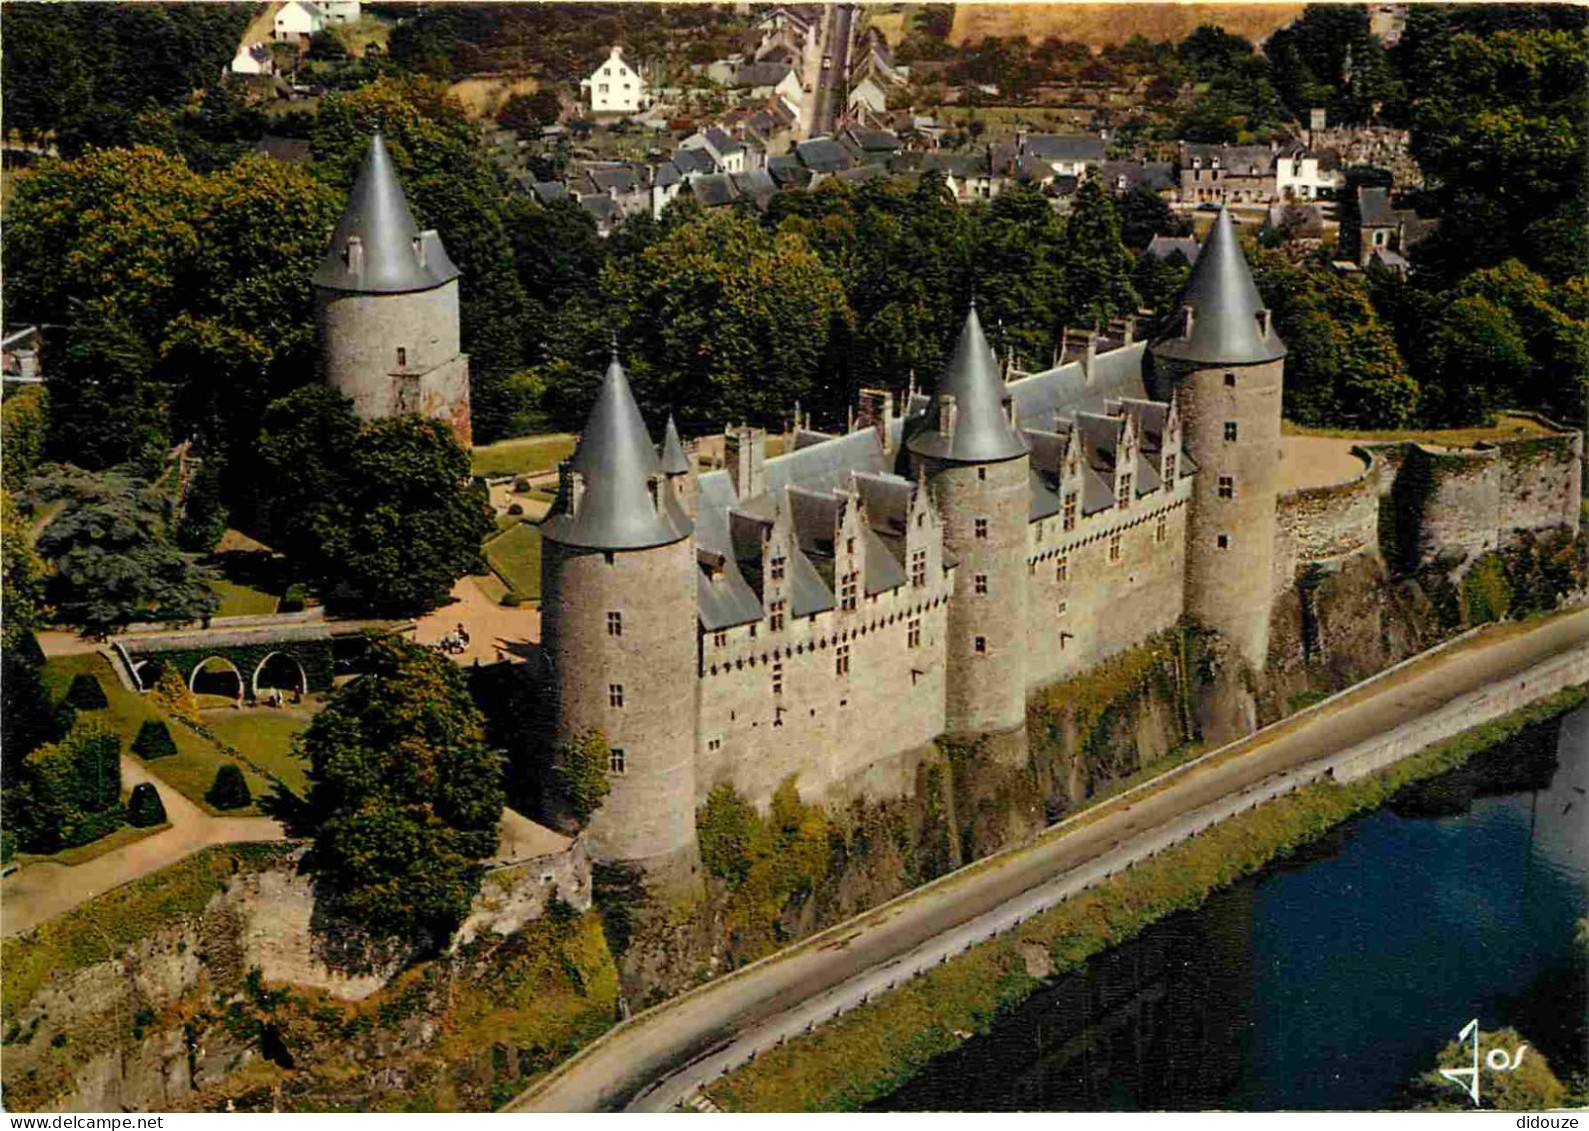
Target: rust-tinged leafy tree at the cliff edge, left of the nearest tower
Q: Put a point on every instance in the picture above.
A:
(404, 795)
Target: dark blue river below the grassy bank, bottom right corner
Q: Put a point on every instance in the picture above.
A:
(1332, 978)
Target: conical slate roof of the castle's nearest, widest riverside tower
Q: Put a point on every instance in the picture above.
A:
(617, 463)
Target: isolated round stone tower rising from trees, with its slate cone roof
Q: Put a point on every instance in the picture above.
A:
(387, 307)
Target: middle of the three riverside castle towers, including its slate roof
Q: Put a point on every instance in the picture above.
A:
(976, 466)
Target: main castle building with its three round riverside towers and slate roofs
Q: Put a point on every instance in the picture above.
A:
(832, 611)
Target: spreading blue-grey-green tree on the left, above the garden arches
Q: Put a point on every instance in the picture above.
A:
(112, 555)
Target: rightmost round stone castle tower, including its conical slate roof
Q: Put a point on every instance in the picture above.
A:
(1226, 365)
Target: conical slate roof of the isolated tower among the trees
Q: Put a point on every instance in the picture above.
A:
(392, 255)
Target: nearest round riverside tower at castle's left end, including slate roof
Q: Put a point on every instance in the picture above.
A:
(619, 628)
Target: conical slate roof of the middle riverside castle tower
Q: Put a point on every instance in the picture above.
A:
(981, 433)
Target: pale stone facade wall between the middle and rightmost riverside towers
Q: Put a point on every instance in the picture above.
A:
(1104, 608)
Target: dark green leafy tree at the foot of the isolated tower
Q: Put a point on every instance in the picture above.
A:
(381, 515)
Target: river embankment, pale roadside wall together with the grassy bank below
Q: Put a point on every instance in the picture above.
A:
(976, 971)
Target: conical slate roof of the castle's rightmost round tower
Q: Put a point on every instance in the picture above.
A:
(1228, 328)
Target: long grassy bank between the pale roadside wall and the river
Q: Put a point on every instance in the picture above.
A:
(875, 1049)
